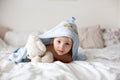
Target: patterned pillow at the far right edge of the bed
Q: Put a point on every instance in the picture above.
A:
(111, 36)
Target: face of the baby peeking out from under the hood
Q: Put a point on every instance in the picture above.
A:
(62, 45)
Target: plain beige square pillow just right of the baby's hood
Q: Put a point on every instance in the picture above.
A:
(91, 37)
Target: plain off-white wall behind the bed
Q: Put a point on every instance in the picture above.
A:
(31, 15)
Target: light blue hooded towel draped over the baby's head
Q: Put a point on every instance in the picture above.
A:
(65, 28)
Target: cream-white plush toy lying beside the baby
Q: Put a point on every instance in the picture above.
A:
(36, 50)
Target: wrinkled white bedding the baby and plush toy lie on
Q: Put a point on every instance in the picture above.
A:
(101, 64)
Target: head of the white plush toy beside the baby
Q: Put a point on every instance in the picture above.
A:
(35, 47)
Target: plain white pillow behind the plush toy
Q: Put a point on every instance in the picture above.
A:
(17, 39)
